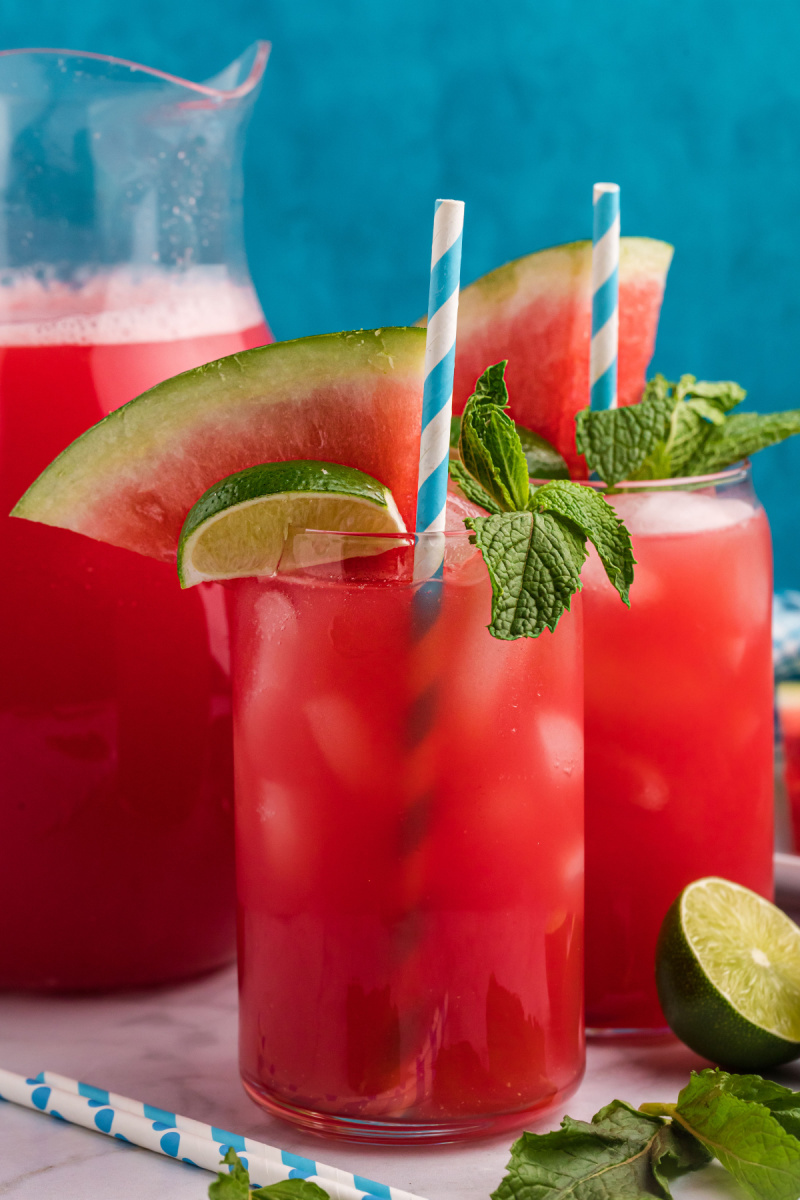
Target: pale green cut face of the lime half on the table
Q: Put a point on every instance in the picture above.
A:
(750, 952)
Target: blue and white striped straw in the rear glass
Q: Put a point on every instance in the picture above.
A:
(605, 297)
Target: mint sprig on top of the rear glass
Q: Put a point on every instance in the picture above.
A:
(678, 430)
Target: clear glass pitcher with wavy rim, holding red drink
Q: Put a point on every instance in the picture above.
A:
(122, 263)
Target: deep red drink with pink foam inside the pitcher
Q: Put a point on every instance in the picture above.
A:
(117, 849)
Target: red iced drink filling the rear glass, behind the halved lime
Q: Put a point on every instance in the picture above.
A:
(679, 733)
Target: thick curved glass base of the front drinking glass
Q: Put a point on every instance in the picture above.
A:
(408, 1133)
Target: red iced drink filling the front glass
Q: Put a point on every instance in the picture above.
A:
(410, 871)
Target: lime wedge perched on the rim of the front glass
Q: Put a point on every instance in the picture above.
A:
(246, 524)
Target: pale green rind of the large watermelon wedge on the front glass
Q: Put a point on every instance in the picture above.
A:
(134, 437)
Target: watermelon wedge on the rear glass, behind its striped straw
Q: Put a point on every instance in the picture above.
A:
(537, 313)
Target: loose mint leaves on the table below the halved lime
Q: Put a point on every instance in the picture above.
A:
(747, 1123)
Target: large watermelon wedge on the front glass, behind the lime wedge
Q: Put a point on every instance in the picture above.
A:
(353, 399)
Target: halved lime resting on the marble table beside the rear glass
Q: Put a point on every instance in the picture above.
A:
(729, 976)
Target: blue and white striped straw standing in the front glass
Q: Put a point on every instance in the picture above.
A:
(437, 395)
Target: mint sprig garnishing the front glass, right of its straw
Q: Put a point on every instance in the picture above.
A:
(534, 542)
